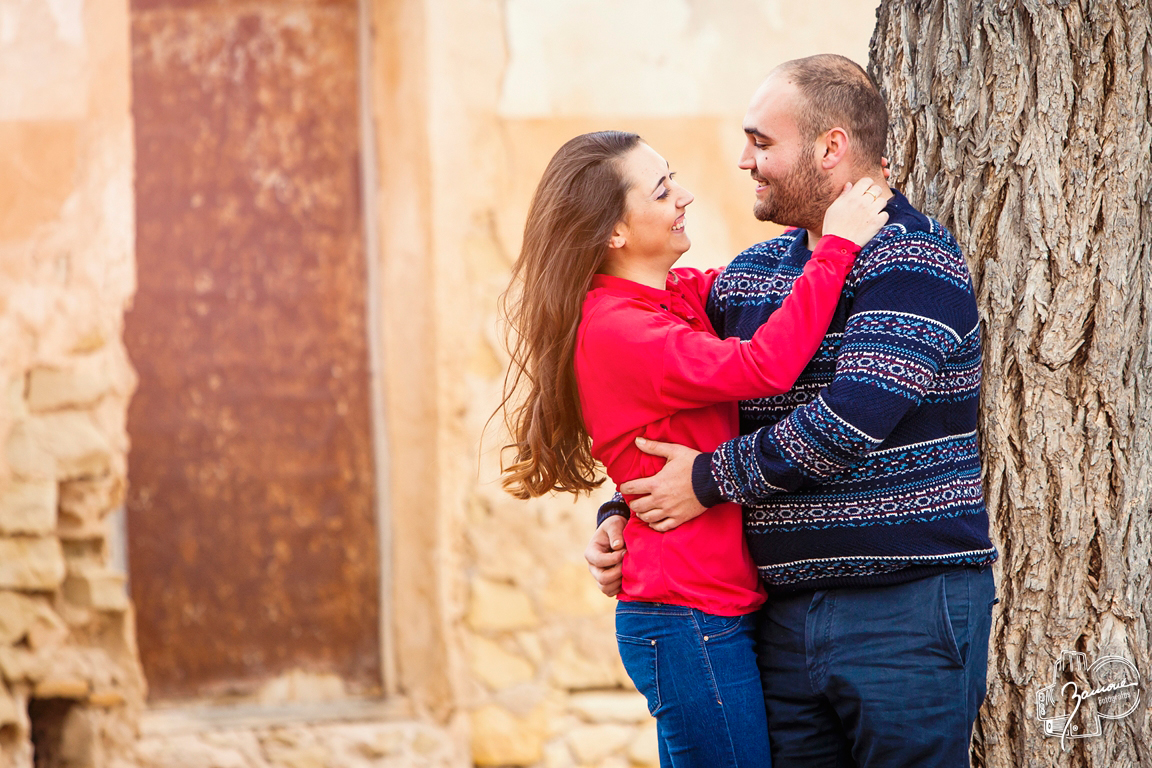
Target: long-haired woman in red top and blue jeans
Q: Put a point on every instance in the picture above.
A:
(611, 345)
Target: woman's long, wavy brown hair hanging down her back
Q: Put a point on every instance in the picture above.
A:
(579, 202)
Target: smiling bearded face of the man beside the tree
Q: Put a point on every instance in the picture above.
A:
(792, 189)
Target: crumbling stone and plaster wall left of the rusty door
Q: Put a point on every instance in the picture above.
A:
(71, 678)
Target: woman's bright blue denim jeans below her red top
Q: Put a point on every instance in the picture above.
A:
(700, 676)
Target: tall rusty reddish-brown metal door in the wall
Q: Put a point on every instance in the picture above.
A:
(253, 543)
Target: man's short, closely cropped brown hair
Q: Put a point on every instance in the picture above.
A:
(837, 92)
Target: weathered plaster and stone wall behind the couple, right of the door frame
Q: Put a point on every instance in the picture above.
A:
(532, 647)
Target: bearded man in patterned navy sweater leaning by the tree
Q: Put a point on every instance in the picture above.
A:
(865, 511)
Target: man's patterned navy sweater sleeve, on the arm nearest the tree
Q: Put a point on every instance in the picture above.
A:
(913, 308)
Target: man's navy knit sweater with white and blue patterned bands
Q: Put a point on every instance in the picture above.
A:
(868, 472)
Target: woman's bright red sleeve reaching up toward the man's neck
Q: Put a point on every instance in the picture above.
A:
(701, 370)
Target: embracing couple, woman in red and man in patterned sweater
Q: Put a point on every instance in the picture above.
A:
(801, 551)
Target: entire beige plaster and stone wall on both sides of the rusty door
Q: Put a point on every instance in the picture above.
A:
(496, 637)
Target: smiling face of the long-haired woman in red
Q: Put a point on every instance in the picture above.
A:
(654, 224)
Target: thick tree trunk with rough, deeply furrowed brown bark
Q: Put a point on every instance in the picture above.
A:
(1025, 127)
